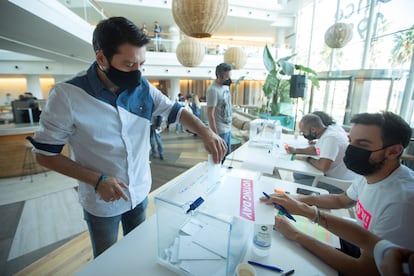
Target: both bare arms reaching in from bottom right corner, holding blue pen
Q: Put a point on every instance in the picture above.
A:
(390, 259)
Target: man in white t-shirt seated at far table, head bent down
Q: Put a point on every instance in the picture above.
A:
(329, 149)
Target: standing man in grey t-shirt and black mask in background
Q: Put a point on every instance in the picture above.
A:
(219, 110)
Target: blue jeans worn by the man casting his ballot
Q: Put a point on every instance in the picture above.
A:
(104, 230)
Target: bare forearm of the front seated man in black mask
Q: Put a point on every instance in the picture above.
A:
(330, 201)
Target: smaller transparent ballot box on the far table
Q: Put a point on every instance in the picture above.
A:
(265, 133)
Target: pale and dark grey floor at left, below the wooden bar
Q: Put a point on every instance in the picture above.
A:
(37, 217)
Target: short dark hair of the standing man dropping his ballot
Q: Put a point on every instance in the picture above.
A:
(110, 33)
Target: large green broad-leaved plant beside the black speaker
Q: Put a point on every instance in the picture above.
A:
(276, 87)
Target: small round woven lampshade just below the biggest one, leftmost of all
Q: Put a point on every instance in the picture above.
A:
(190, 52)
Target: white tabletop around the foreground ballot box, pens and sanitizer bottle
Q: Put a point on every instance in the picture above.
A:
(136, 253)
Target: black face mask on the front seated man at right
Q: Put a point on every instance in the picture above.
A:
(357, 160)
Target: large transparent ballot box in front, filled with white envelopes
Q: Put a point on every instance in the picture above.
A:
(192, 238)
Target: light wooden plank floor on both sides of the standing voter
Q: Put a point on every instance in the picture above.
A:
(181, 151)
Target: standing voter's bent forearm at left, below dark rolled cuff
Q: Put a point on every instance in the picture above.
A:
(68, 167)
